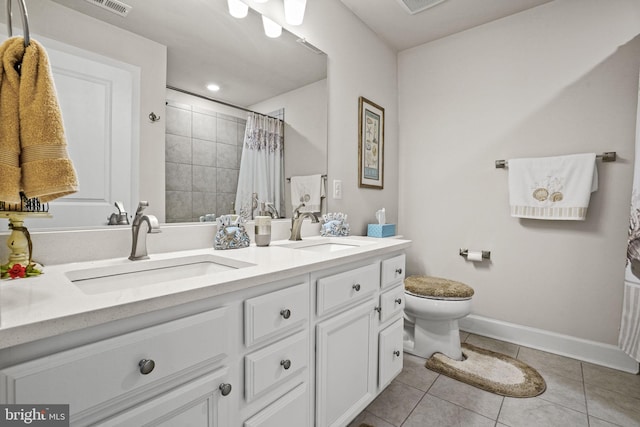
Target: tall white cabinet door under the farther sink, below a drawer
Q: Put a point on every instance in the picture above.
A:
(345, 365)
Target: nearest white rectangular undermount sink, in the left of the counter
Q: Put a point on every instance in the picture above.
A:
(136, 274)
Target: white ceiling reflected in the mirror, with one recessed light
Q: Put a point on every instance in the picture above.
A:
(207, 45)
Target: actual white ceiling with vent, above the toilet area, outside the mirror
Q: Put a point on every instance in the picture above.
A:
(401, 30)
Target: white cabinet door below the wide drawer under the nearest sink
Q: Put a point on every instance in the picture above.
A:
(199, 403)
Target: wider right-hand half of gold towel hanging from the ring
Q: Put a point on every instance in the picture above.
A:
(47, 171)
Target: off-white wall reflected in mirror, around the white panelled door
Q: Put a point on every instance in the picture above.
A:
(60, 23)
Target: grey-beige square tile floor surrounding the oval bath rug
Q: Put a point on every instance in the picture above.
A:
(578, 394)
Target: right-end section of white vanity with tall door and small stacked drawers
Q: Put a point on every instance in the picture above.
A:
(359, 330)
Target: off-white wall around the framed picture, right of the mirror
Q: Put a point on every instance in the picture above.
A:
(359, 64)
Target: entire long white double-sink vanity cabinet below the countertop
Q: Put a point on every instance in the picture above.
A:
(310, 348)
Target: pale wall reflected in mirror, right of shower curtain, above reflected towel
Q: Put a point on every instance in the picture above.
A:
(305, 132)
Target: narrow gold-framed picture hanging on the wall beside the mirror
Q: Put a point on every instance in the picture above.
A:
(370, 144)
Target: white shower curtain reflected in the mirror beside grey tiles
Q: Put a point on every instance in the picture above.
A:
(261, 176)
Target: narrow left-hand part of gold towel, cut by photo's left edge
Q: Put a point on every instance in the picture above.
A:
(11, 52)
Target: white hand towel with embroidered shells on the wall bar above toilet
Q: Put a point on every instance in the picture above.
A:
(552, 187)
